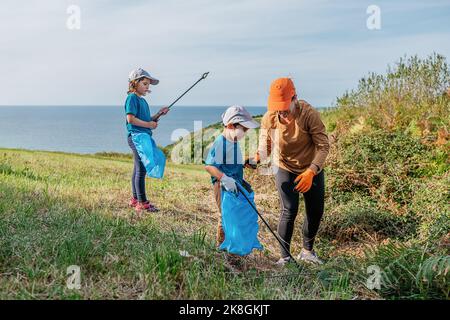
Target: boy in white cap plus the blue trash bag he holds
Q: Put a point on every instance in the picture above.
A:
(237, 229)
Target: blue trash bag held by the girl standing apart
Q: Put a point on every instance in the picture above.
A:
(151, 156)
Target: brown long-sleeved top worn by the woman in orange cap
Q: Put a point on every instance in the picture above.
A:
(297, 146)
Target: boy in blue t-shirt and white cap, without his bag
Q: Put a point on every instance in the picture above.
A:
(224, 161)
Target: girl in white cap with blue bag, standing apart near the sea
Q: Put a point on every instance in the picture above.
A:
(148, 159)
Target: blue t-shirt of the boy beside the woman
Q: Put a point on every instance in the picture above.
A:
(227, 157)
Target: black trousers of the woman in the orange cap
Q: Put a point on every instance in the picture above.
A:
(289, 200)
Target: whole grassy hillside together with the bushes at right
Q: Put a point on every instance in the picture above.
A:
(387, 206)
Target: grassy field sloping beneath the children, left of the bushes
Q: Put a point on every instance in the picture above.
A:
(59, 210)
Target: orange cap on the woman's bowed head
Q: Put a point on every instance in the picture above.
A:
(280, 95)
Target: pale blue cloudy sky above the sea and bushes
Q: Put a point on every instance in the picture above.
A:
(324, 46)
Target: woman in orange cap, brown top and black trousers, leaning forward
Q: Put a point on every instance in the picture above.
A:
(292, 131)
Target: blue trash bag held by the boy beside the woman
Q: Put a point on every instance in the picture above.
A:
(240, 223)
